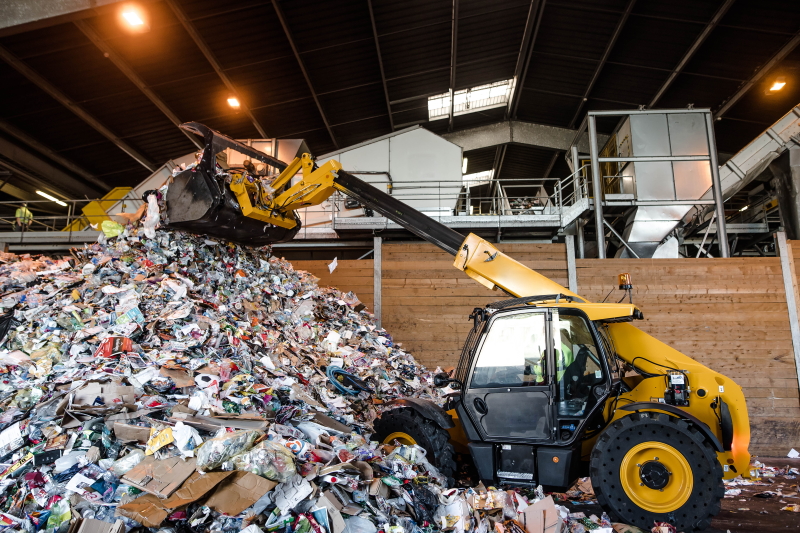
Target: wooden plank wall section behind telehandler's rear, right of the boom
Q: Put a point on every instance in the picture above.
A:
(729, 314)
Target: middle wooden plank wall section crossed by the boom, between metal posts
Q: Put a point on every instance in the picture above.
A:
(426, 302)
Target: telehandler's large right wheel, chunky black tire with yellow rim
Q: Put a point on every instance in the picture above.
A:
(619, 443)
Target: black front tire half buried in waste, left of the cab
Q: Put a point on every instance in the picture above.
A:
(425, 432)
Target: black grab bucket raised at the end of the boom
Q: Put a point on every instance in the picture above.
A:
(198, 202)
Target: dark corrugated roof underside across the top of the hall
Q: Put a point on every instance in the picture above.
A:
(337, 47)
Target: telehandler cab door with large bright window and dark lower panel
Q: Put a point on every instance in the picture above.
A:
(508, 393)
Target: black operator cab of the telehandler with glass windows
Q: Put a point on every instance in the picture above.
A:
(535, 379)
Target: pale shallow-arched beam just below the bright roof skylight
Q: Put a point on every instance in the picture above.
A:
(514, 131)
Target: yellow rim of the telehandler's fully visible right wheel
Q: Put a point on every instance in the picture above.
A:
(656, 477)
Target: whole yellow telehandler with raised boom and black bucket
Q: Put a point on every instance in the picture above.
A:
(549, 386)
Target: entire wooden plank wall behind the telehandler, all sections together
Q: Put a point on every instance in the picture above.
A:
(729, 314)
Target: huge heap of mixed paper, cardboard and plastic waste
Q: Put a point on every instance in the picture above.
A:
(163, 380)
